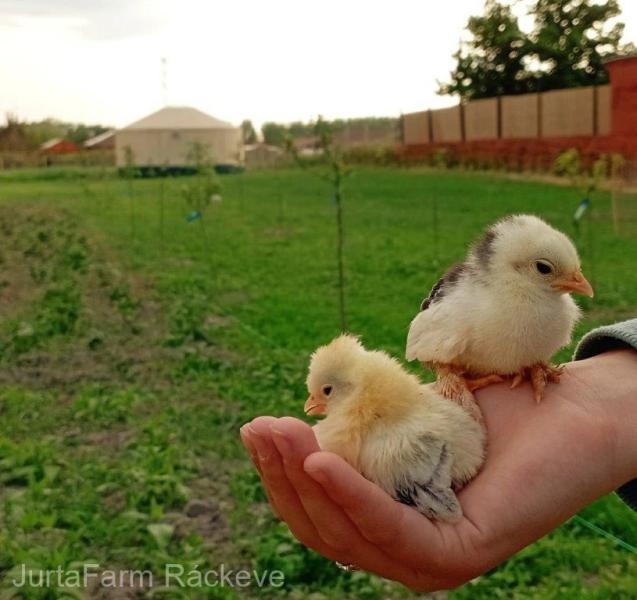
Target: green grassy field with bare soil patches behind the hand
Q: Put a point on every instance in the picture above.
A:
(134, 344)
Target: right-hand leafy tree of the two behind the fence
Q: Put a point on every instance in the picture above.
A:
(571, 39)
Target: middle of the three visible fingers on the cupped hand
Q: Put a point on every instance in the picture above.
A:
(295, 442)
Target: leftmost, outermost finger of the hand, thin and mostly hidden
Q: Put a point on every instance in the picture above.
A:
(283, 494)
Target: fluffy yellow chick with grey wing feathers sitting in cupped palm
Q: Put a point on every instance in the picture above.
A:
(397, 432)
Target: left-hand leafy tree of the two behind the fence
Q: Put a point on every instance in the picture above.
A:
(492, 62)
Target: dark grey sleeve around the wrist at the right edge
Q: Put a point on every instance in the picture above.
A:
(603, 339)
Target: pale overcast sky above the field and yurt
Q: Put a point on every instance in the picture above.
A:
(99, 61)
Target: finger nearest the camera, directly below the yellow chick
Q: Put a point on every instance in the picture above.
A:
(399, 531)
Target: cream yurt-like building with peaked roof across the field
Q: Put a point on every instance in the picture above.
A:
(167, 137)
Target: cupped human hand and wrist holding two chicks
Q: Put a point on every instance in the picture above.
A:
(544, 463)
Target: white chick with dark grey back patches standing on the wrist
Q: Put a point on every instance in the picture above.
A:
(503, 311)
